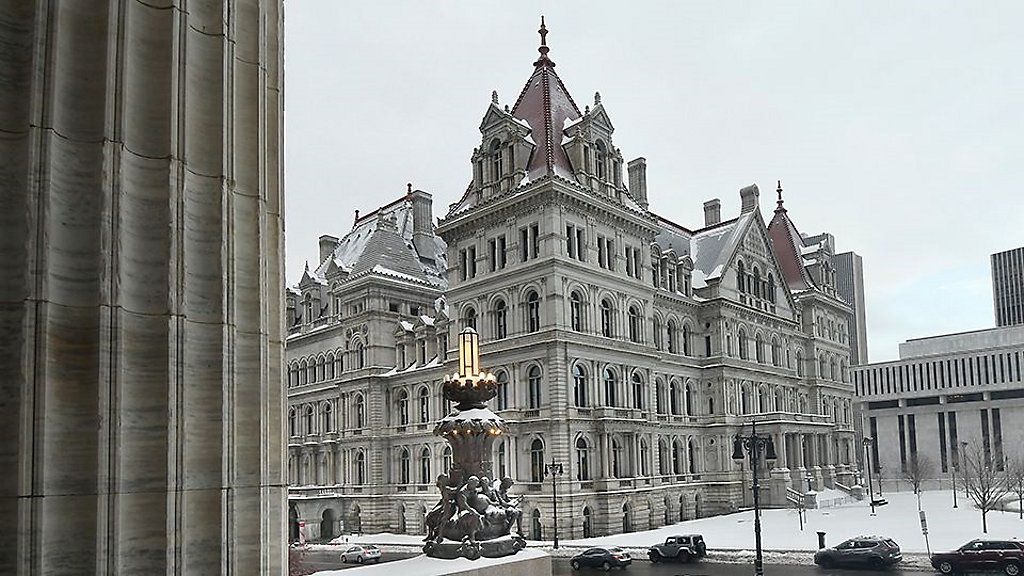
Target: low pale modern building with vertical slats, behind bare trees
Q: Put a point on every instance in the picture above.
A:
(945, 391)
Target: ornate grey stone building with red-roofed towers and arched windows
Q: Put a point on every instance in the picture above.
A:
(629, 348)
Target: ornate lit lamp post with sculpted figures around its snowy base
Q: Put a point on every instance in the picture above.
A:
(476, 516)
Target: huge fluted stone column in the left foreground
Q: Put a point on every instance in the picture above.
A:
(141, 289)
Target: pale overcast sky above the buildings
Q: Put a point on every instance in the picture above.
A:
(897, 127)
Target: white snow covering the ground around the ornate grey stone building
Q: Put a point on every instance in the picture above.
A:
(731, 538)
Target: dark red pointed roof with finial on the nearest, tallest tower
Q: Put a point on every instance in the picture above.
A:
(546, 106)
